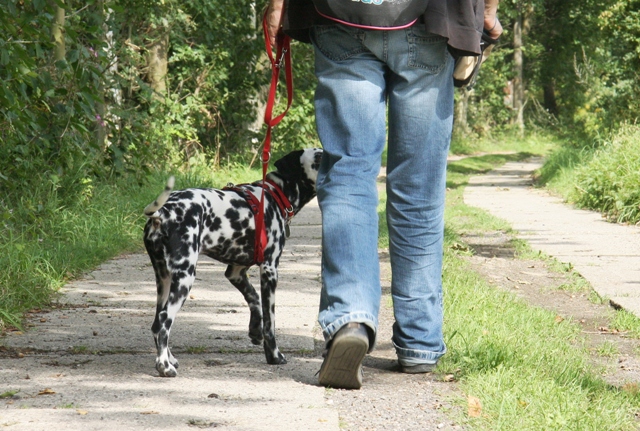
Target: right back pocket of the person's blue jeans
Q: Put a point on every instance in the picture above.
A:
(426, 50)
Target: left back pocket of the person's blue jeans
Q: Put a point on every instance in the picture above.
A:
(338, 42)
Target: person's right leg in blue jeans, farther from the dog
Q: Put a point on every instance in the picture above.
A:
(420, 122)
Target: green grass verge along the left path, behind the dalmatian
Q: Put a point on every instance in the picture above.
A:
(46, 241)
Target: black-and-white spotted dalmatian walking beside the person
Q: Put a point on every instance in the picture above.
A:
(221, 224)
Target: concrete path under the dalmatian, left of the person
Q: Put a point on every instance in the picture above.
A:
(89, 365)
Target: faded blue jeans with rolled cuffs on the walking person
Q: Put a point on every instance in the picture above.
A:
(360, 74)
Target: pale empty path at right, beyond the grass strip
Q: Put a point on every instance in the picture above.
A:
(606, 254)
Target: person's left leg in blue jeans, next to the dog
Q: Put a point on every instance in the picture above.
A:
(350, 117)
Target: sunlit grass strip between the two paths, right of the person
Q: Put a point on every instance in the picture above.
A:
(529, 371)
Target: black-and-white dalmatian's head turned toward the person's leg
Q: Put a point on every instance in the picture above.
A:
(297, 172)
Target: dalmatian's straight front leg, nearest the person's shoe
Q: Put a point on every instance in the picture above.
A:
(268, 283)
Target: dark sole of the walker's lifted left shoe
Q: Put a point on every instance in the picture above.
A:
(343, 364)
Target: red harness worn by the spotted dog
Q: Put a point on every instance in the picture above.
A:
(271, 188)
